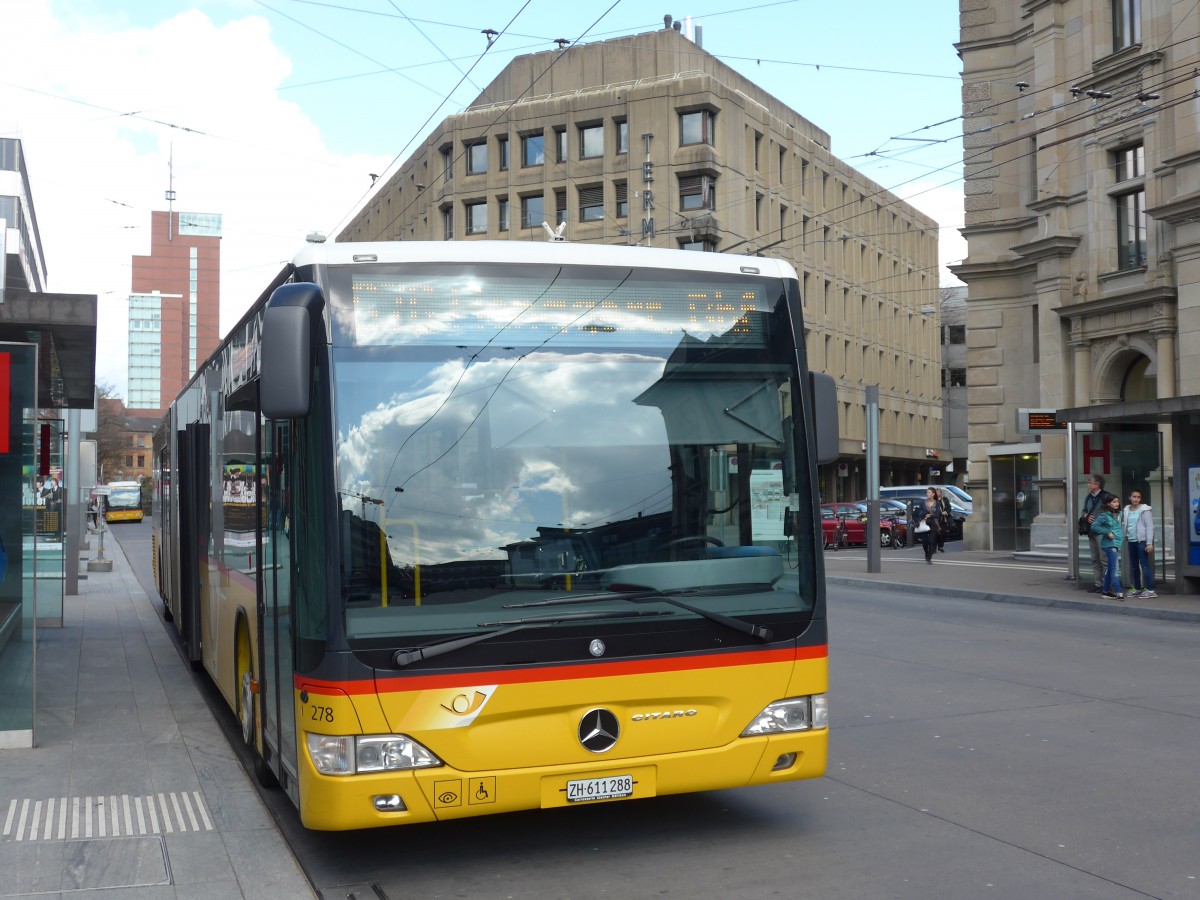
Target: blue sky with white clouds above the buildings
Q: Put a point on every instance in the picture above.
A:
(275, 113)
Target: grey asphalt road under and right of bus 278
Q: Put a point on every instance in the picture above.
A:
(979, 749)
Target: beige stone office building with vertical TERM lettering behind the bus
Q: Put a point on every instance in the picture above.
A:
(651, 141)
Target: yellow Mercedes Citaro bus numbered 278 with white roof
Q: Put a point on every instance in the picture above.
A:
(461, 529)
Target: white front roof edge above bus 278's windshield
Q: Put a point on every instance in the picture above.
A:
(539, 253)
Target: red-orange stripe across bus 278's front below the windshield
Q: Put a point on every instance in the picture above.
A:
(562, 674)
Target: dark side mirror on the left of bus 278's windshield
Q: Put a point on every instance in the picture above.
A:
(286, 352)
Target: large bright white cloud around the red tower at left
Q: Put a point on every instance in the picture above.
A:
(101, 109)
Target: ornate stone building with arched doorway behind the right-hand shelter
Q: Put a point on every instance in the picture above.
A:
(1083, 224)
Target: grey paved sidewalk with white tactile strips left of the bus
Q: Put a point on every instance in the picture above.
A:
(133, 791)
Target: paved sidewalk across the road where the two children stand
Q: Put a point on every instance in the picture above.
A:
(999, 578)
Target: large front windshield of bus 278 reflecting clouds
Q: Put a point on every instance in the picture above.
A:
(507, 436)
